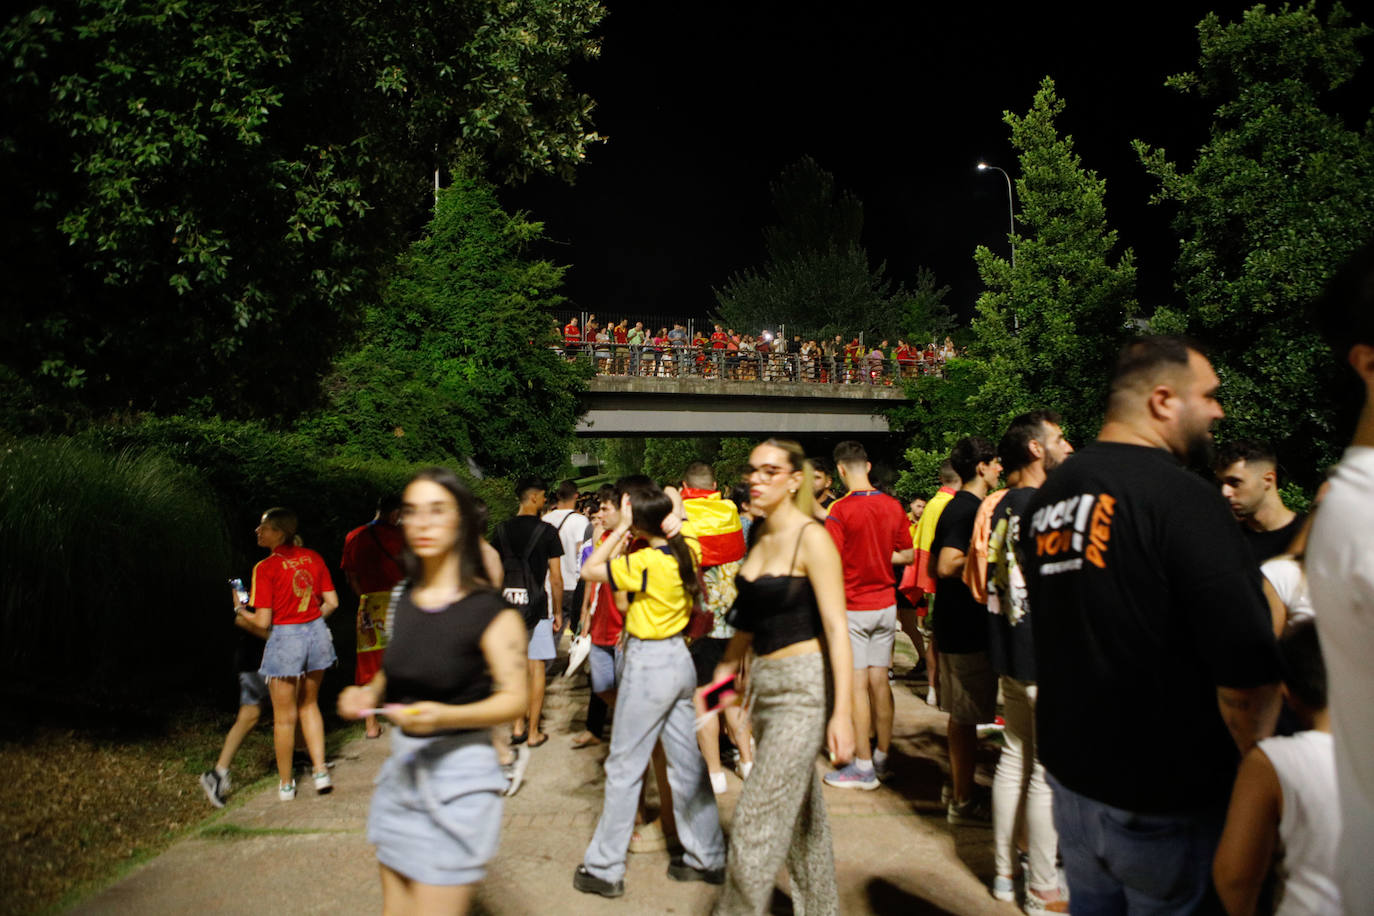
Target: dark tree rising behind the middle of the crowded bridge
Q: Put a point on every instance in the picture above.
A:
(817, 279)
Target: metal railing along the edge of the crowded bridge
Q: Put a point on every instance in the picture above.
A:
(745, 366)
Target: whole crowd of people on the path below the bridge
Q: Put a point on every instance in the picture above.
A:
(1181, 664)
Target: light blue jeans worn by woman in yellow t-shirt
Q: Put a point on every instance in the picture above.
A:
(655, 704)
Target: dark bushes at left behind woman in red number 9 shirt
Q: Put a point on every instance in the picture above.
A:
(119, 545)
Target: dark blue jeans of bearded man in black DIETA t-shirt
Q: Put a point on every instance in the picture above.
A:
(1119, 862)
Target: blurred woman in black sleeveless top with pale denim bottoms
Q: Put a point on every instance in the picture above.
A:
(455, 667)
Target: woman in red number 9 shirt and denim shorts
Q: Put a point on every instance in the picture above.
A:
(292, 595)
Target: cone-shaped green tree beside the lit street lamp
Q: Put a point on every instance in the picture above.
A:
(1049, 329)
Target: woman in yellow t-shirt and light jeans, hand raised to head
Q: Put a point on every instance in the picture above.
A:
(655, 698)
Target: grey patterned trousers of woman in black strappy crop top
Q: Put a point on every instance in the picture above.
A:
(781, 816)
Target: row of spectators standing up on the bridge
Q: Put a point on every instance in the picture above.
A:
(725, 354)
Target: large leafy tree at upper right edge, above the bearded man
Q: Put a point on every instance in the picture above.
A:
(1277, 198)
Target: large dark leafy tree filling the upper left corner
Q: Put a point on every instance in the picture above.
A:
(201, 196)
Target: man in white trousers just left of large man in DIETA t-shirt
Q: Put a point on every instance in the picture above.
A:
(1033, 447)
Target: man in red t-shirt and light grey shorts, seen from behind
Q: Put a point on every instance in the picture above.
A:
(870, 531)
